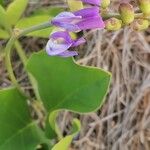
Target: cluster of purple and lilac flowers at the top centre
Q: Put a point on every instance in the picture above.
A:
(86, 18)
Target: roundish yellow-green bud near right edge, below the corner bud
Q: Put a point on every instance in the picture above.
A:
(140, 24)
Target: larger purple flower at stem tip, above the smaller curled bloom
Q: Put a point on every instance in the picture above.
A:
(83, 19)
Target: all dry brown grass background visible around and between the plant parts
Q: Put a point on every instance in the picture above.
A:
(123, 122)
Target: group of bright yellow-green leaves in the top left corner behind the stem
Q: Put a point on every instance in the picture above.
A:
(12, 17)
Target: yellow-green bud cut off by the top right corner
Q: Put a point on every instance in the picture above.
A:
(144, 6)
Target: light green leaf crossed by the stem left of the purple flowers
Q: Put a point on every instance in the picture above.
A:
(34, 20)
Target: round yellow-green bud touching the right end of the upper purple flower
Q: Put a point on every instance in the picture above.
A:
(113, 24)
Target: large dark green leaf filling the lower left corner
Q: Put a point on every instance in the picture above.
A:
(17, 130)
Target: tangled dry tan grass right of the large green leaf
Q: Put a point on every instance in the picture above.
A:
(123, 123)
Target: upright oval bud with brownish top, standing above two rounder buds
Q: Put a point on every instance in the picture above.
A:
(127, 13)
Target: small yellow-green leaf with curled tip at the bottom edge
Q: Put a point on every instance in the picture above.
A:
(64, 143)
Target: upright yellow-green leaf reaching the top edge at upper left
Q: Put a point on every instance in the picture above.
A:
(15, 10)
